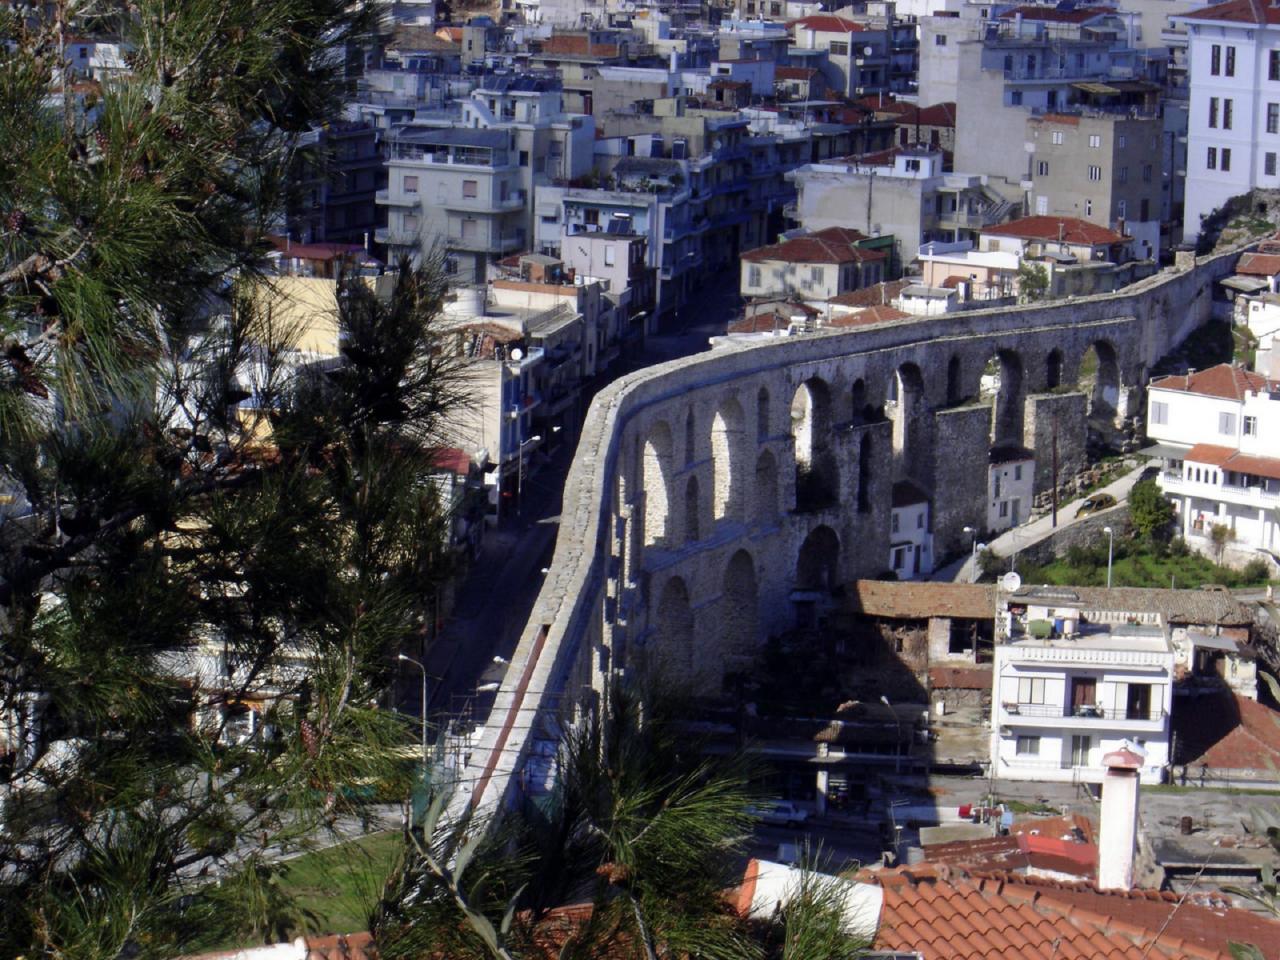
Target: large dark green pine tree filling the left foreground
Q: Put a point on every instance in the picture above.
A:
(172, 531)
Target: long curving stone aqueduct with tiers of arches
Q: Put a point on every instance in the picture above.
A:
(710, 493)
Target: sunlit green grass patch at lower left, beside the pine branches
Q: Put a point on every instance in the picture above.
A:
(342, 884)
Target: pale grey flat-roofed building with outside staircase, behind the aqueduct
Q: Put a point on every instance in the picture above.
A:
(908, 196)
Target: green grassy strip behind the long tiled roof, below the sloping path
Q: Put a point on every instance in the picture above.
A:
(1137, 565)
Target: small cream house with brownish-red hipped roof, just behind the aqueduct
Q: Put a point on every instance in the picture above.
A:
(813, 267)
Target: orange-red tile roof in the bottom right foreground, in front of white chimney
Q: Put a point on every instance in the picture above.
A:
(996, 916)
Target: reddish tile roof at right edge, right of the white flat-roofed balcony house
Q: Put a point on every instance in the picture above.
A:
(1227, 732)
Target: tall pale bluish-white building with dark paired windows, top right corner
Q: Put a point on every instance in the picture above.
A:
(1235, 126)
